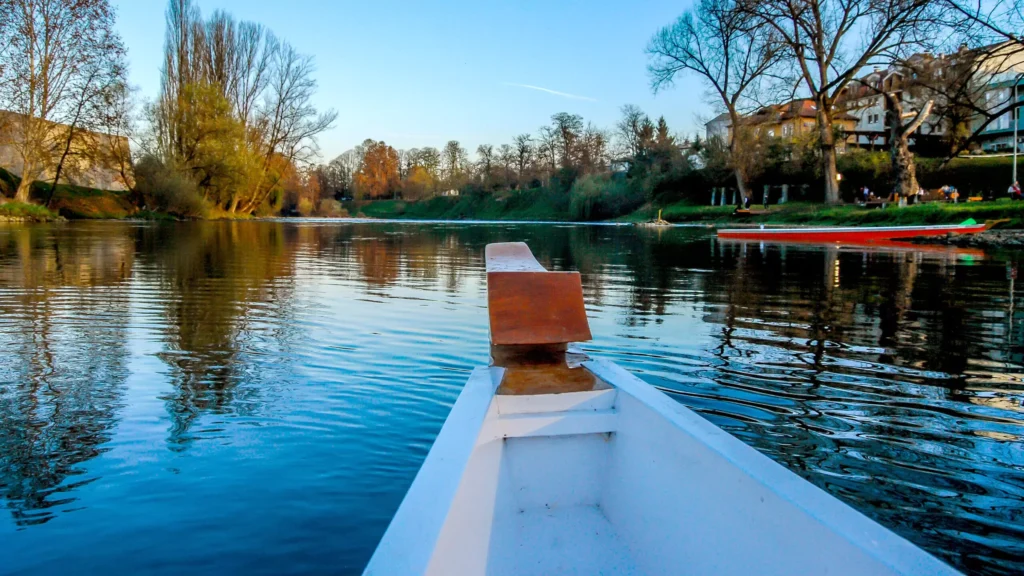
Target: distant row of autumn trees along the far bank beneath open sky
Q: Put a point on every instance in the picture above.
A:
(557, 156)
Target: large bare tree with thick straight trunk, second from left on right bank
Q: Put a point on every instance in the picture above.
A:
(831, 42)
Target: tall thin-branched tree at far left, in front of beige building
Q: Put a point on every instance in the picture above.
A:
(50, 50)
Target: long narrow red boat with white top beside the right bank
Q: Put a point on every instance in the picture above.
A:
(847, 234)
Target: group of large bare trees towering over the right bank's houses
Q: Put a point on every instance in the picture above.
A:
(752, 53)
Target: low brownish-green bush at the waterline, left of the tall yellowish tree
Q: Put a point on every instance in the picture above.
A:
(166, 190)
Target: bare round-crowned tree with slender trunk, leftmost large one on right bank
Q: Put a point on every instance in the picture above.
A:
(722, 44)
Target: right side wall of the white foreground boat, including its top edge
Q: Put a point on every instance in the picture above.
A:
(719, 507)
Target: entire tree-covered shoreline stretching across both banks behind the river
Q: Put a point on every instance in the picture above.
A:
(234, 132)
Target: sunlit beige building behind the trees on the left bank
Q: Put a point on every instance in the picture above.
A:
(95, 161)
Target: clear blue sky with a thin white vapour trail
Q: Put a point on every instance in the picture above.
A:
(420, 73)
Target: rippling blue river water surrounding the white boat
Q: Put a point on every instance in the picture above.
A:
(258, 397)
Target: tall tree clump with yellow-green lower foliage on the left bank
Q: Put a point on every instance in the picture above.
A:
(268, 88)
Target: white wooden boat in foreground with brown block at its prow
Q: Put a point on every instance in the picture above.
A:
(551, 463)
